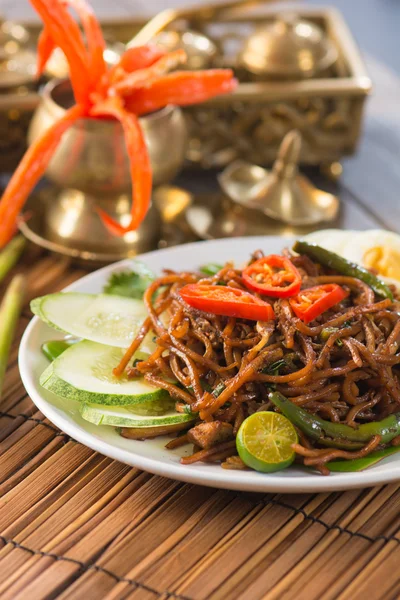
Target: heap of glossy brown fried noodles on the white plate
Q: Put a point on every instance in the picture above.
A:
(350, 376)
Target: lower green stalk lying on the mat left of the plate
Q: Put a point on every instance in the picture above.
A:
(10, 309)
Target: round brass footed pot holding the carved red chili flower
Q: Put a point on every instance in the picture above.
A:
(91, 167)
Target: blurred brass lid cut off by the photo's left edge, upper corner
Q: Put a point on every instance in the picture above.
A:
(17, 60)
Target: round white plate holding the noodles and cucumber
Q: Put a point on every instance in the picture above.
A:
(150, 455)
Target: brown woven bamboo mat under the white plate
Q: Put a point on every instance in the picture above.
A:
(74, 524)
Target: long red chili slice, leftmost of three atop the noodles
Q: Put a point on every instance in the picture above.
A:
(227, 301)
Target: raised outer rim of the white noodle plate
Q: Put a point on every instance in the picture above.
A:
(218, 478)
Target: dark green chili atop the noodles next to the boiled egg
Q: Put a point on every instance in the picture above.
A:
(341, 265)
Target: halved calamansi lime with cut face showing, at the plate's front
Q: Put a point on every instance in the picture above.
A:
(264, 441)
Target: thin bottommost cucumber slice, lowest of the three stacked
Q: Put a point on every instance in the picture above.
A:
(123, 417)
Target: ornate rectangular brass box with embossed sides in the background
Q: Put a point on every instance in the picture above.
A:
(252, 122)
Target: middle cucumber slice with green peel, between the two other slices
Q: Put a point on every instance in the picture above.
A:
(84, 373)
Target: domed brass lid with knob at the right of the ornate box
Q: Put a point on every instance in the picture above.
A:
(289, 47)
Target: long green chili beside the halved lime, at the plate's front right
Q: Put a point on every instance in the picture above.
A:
(326, 432)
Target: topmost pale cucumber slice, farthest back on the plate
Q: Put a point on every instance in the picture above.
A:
(102, 318)
